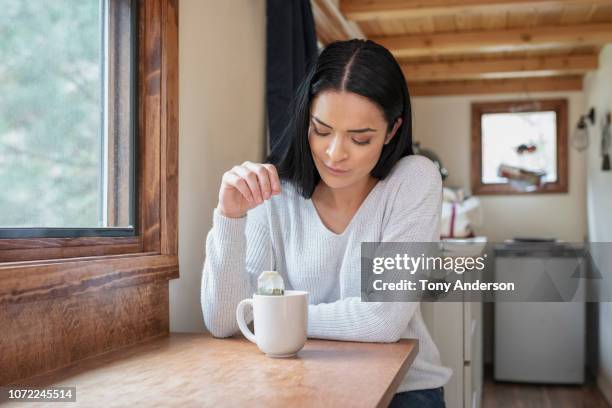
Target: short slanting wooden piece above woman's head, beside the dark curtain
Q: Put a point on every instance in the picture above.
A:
(330, 24)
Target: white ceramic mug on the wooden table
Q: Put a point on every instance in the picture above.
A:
(281, 322)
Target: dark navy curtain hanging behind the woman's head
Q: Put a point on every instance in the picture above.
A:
(291, 45)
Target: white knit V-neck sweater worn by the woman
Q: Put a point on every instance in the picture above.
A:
(286, 234)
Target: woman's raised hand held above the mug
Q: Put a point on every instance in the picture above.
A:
(245, 187)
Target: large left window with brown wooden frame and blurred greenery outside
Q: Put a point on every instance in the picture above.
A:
(88, 138)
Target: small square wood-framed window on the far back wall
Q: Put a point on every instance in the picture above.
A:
(519, 147)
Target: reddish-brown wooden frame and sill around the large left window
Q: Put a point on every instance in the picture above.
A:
(32, 268)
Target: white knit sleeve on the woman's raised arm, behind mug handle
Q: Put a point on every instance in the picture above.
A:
(237, 250)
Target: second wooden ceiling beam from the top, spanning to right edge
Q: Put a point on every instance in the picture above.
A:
(497, 40)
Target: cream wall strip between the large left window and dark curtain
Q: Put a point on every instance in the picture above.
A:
(221, 119)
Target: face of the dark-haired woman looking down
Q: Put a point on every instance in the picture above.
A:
(346, 135)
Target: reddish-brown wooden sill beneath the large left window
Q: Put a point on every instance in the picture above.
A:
(22, 282)
